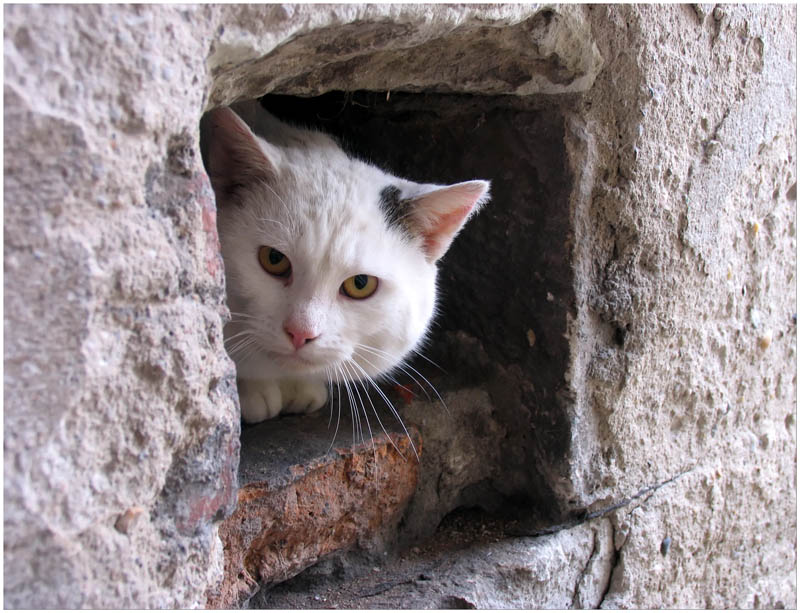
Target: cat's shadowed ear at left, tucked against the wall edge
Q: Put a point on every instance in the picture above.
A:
(235, 156)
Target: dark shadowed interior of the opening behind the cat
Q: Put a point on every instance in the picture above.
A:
(505, 284)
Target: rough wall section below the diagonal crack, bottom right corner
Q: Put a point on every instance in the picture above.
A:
(711, 562)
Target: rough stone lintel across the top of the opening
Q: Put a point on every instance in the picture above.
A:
(304, 50)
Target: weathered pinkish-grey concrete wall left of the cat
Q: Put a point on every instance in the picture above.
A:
(120, 427)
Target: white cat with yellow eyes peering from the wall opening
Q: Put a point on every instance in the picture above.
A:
(330, 262)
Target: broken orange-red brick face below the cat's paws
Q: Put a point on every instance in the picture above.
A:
(346, 498)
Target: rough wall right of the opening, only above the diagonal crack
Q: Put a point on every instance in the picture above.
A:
(678, 242)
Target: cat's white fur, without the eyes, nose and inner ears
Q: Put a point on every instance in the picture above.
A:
(321, 210)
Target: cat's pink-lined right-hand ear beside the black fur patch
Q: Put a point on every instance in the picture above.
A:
(438, 215)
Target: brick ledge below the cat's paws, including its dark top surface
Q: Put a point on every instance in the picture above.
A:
(298, 503)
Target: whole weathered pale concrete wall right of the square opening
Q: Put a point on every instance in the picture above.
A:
(687, 240)
